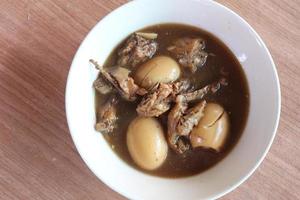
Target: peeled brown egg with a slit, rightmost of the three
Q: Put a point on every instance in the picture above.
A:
(212, 129)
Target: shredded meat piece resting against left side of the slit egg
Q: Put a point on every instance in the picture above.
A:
(190, 119)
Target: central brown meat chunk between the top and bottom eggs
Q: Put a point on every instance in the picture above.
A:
(158, 100)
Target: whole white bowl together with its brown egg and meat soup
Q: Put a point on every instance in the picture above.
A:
(178, 104)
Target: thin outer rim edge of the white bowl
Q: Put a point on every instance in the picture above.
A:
(229, 188)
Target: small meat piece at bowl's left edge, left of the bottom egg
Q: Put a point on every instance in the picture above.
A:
(107, 116)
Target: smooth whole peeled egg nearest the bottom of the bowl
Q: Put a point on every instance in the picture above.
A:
(146, 142)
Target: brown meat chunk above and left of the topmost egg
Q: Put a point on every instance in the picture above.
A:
(136, 50)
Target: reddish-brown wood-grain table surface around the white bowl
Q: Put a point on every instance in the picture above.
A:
(38, 39)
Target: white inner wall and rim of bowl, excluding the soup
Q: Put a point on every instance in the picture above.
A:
(246, 45)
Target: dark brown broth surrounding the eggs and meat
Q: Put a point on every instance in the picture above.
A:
(234, 98)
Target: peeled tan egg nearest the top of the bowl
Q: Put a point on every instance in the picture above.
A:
(161, 69)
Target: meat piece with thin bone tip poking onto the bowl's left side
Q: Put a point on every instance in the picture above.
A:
(119, 78)
